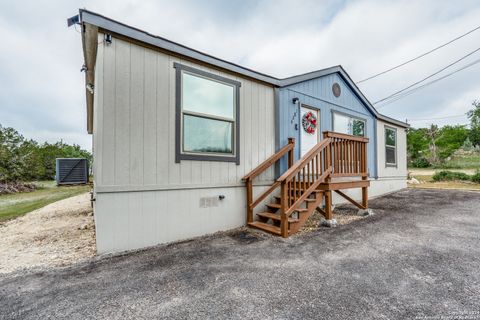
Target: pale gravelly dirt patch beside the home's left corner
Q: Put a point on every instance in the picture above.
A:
(56, 235)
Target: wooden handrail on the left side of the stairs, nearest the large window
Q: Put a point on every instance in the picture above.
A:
(248, 179)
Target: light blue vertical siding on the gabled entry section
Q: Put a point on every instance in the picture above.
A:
(317, 93)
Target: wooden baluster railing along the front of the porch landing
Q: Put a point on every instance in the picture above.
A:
(349, 154)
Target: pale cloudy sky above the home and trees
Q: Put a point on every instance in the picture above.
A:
(42, 89)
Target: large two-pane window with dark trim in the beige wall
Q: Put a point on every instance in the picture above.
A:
(207, 116)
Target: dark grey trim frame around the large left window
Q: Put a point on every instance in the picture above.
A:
(179, 154)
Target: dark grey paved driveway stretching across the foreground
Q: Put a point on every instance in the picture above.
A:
(418, 257)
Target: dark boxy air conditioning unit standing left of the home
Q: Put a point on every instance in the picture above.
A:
(71, 171)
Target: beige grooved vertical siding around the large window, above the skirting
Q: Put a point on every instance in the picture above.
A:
(135, 124)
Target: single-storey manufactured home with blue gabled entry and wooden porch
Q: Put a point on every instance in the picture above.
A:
(186, 144)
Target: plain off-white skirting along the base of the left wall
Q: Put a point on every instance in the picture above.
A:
(132, 220)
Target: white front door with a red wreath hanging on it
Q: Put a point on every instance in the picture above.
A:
(309, 129)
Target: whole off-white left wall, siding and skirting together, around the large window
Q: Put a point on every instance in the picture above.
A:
(143, 197)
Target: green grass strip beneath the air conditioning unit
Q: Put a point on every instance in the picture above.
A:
(18, 204)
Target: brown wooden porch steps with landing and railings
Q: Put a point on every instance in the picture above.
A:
(306, 184)
